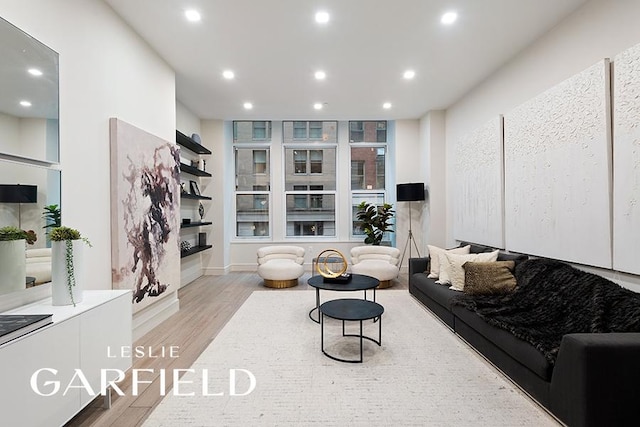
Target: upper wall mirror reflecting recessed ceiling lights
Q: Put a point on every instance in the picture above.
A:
(28, 96)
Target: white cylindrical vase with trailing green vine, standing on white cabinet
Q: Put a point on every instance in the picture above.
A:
(60, 293)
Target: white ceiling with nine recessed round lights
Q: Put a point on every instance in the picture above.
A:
(275, 46)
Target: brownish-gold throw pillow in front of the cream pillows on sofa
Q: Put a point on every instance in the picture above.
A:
(489, 278)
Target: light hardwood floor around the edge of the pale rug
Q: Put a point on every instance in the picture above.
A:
(206, 304)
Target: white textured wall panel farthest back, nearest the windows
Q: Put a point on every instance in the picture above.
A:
(479, 200)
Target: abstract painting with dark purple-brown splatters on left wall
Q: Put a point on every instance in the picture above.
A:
(145, 212)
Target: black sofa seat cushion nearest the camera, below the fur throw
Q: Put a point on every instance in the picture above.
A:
(520, 350)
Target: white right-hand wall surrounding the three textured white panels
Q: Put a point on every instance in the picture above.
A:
(600, 29)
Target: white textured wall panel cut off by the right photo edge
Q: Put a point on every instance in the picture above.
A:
(626, 149)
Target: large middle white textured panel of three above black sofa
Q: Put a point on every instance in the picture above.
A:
(558, 171)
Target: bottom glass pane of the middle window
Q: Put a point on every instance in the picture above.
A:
(316, 218)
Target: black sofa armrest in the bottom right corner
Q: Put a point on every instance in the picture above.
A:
(595, 379)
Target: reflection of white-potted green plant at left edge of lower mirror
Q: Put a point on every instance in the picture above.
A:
(13, 261)
